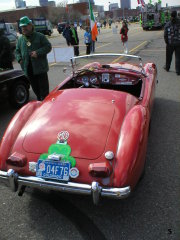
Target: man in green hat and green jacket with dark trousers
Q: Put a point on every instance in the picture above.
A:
(31, 52)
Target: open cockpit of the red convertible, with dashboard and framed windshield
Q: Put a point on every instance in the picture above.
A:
(117, 72)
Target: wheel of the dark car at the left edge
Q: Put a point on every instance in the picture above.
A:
(19, 94)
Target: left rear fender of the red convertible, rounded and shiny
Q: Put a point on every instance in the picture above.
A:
(13, 130)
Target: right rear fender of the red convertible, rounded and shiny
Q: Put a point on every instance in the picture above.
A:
(131, 149)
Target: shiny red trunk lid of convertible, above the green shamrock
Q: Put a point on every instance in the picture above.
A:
(88, 125)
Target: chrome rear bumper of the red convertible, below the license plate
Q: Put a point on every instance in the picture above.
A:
(16, 182)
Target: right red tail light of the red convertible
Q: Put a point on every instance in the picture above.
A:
(100, 169)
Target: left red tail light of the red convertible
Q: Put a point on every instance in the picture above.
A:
(17, 159)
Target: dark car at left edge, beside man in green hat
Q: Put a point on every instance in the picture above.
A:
(15, 85)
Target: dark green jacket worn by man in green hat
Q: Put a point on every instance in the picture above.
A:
(36, 42)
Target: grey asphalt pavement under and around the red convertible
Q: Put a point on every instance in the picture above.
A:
(152, 212)
